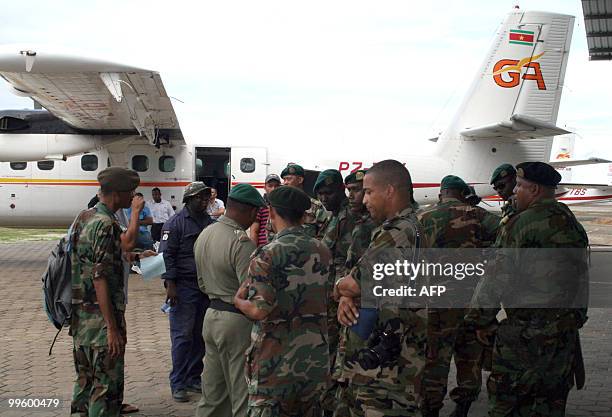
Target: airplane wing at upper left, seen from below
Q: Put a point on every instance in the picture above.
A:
(91, 95)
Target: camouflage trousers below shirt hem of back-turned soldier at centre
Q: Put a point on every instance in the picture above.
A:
(307, 405)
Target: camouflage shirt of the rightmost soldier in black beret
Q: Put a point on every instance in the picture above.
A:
(546, 224)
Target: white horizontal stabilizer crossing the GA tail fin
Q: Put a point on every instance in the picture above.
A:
(518, 127)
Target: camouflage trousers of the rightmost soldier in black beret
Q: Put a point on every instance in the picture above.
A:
(532, 372)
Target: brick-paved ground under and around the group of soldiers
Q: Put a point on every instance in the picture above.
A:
(28, 372)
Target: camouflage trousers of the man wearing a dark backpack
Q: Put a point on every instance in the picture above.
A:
(98, 389)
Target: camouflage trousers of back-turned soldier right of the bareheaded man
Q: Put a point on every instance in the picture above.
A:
(447, 336)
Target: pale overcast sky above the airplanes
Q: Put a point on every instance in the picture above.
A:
(361, 73)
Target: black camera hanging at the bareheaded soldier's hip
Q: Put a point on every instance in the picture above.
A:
(384, 347)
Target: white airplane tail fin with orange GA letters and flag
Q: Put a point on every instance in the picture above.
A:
(510, 111)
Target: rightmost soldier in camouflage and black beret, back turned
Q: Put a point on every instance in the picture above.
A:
(537, 351)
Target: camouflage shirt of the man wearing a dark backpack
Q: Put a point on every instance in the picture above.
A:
(95, 255)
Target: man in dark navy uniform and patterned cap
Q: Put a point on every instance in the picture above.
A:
(188, 303)
